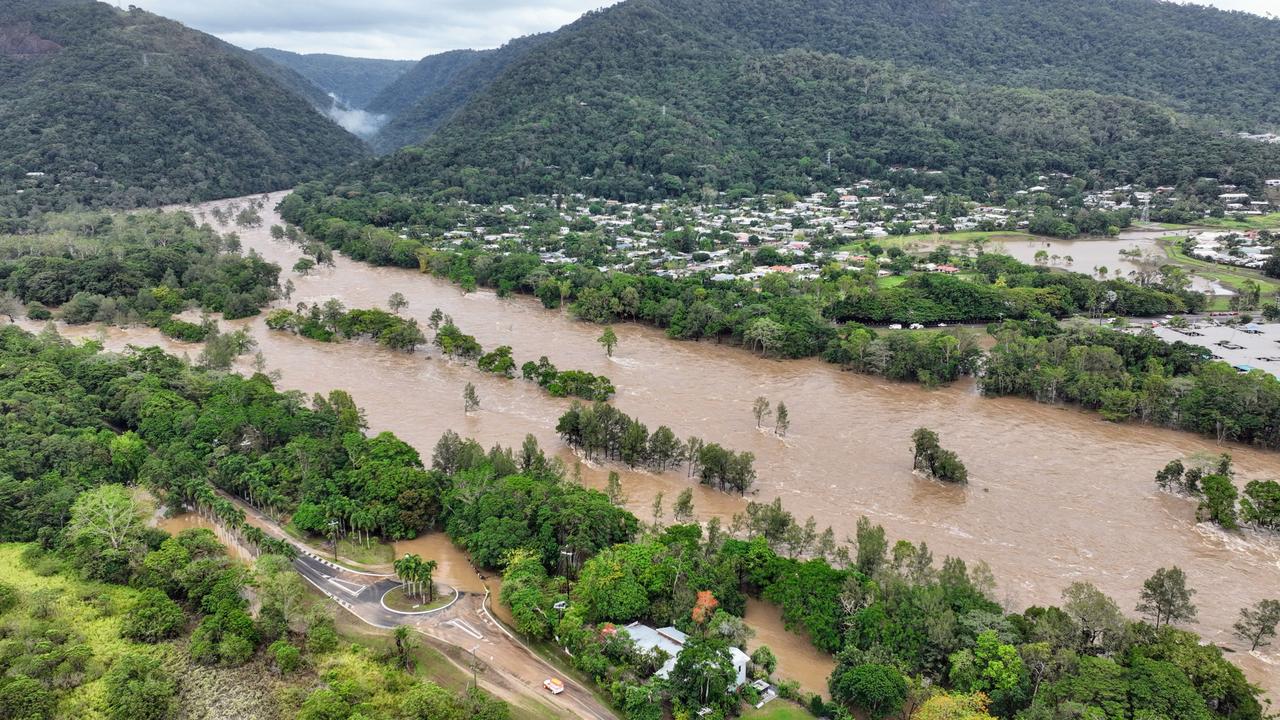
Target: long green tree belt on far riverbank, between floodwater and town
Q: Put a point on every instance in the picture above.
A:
(785, 317)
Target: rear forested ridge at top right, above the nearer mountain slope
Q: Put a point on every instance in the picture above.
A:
(1194, 58)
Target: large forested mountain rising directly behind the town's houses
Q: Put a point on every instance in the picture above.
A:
(668, 97)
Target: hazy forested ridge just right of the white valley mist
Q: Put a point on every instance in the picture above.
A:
(429, 95)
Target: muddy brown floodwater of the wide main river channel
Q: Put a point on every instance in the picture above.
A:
(1055, 495)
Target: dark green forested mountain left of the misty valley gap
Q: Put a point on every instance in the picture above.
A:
(103, 107)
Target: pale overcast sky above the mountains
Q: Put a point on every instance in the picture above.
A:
(405, 29)
